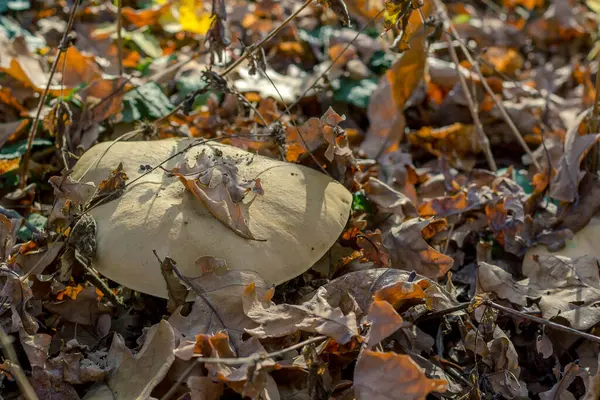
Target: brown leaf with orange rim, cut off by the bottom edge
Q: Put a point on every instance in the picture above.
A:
(382, 376)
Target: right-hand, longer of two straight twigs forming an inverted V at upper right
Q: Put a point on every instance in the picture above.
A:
(442, 9)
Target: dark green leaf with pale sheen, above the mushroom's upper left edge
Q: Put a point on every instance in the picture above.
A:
(145, 102)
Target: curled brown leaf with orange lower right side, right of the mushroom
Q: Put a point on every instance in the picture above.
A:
(410, 251)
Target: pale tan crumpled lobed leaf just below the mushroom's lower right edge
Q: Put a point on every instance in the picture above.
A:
(315, 315)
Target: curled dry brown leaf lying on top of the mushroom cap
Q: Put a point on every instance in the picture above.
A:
(215, 182)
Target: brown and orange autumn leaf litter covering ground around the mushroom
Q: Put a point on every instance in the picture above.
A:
(409, 302)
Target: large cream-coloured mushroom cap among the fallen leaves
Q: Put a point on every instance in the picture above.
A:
(297, 219)
